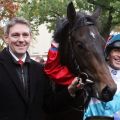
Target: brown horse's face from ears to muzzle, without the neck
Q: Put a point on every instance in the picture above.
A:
(87, 45)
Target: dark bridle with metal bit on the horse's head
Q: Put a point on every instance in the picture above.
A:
(83, 77)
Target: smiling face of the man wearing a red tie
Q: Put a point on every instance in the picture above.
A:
(19, 39)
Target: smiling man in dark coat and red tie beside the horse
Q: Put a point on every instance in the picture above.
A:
(25, 90)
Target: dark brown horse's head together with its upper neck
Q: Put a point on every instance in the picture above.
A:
(81, 49)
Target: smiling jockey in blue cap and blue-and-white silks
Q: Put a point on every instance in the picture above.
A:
(111, 108)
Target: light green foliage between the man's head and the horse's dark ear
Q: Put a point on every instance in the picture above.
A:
(43, 11)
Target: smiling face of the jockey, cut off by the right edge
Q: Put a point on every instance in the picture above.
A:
(114, 58)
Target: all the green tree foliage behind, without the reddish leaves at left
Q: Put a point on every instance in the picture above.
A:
(47, 11)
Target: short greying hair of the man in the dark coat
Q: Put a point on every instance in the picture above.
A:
(14, 21)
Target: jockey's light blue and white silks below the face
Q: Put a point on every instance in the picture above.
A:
(111, 108)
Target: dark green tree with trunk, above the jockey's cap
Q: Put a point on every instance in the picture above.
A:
(110, 15)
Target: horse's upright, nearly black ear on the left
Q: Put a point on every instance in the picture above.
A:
(71, 13)
